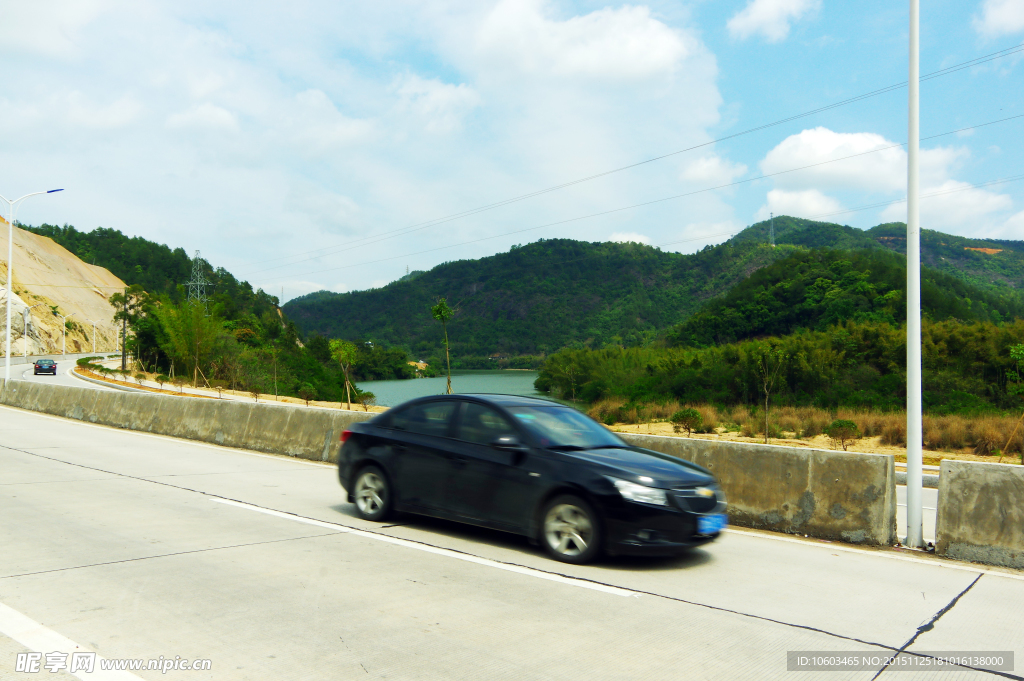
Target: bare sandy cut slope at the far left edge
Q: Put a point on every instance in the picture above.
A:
(54, 281)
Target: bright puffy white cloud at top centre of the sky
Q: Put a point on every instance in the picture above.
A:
(624, 44)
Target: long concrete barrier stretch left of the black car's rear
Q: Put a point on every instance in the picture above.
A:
(304, 433)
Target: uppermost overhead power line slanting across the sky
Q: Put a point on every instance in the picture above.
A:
(367, 241)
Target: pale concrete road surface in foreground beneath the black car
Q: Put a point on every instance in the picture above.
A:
(137, 546)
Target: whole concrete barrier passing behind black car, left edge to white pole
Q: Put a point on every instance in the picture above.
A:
(830, 495)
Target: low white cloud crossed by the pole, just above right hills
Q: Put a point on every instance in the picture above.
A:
(958, 208)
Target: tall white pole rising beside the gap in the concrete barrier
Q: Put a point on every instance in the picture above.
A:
(914, 412)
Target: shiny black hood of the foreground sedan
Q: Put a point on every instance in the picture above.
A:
(634, 463)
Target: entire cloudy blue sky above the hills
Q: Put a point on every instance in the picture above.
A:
(289, 142)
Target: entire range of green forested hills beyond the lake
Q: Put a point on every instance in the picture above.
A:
(562, 293)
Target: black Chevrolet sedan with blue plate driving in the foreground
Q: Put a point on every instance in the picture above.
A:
(533, 467)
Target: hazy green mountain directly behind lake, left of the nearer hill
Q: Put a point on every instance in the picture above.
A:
(538, 299)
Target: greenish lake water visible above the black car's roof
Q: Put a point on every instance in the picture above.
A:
(391, 394)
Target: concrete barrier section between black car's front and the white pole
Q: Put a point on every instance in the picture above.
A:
(830, 495)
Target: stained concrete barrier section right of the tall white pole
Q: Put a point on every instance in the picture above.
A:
(980, 514)
